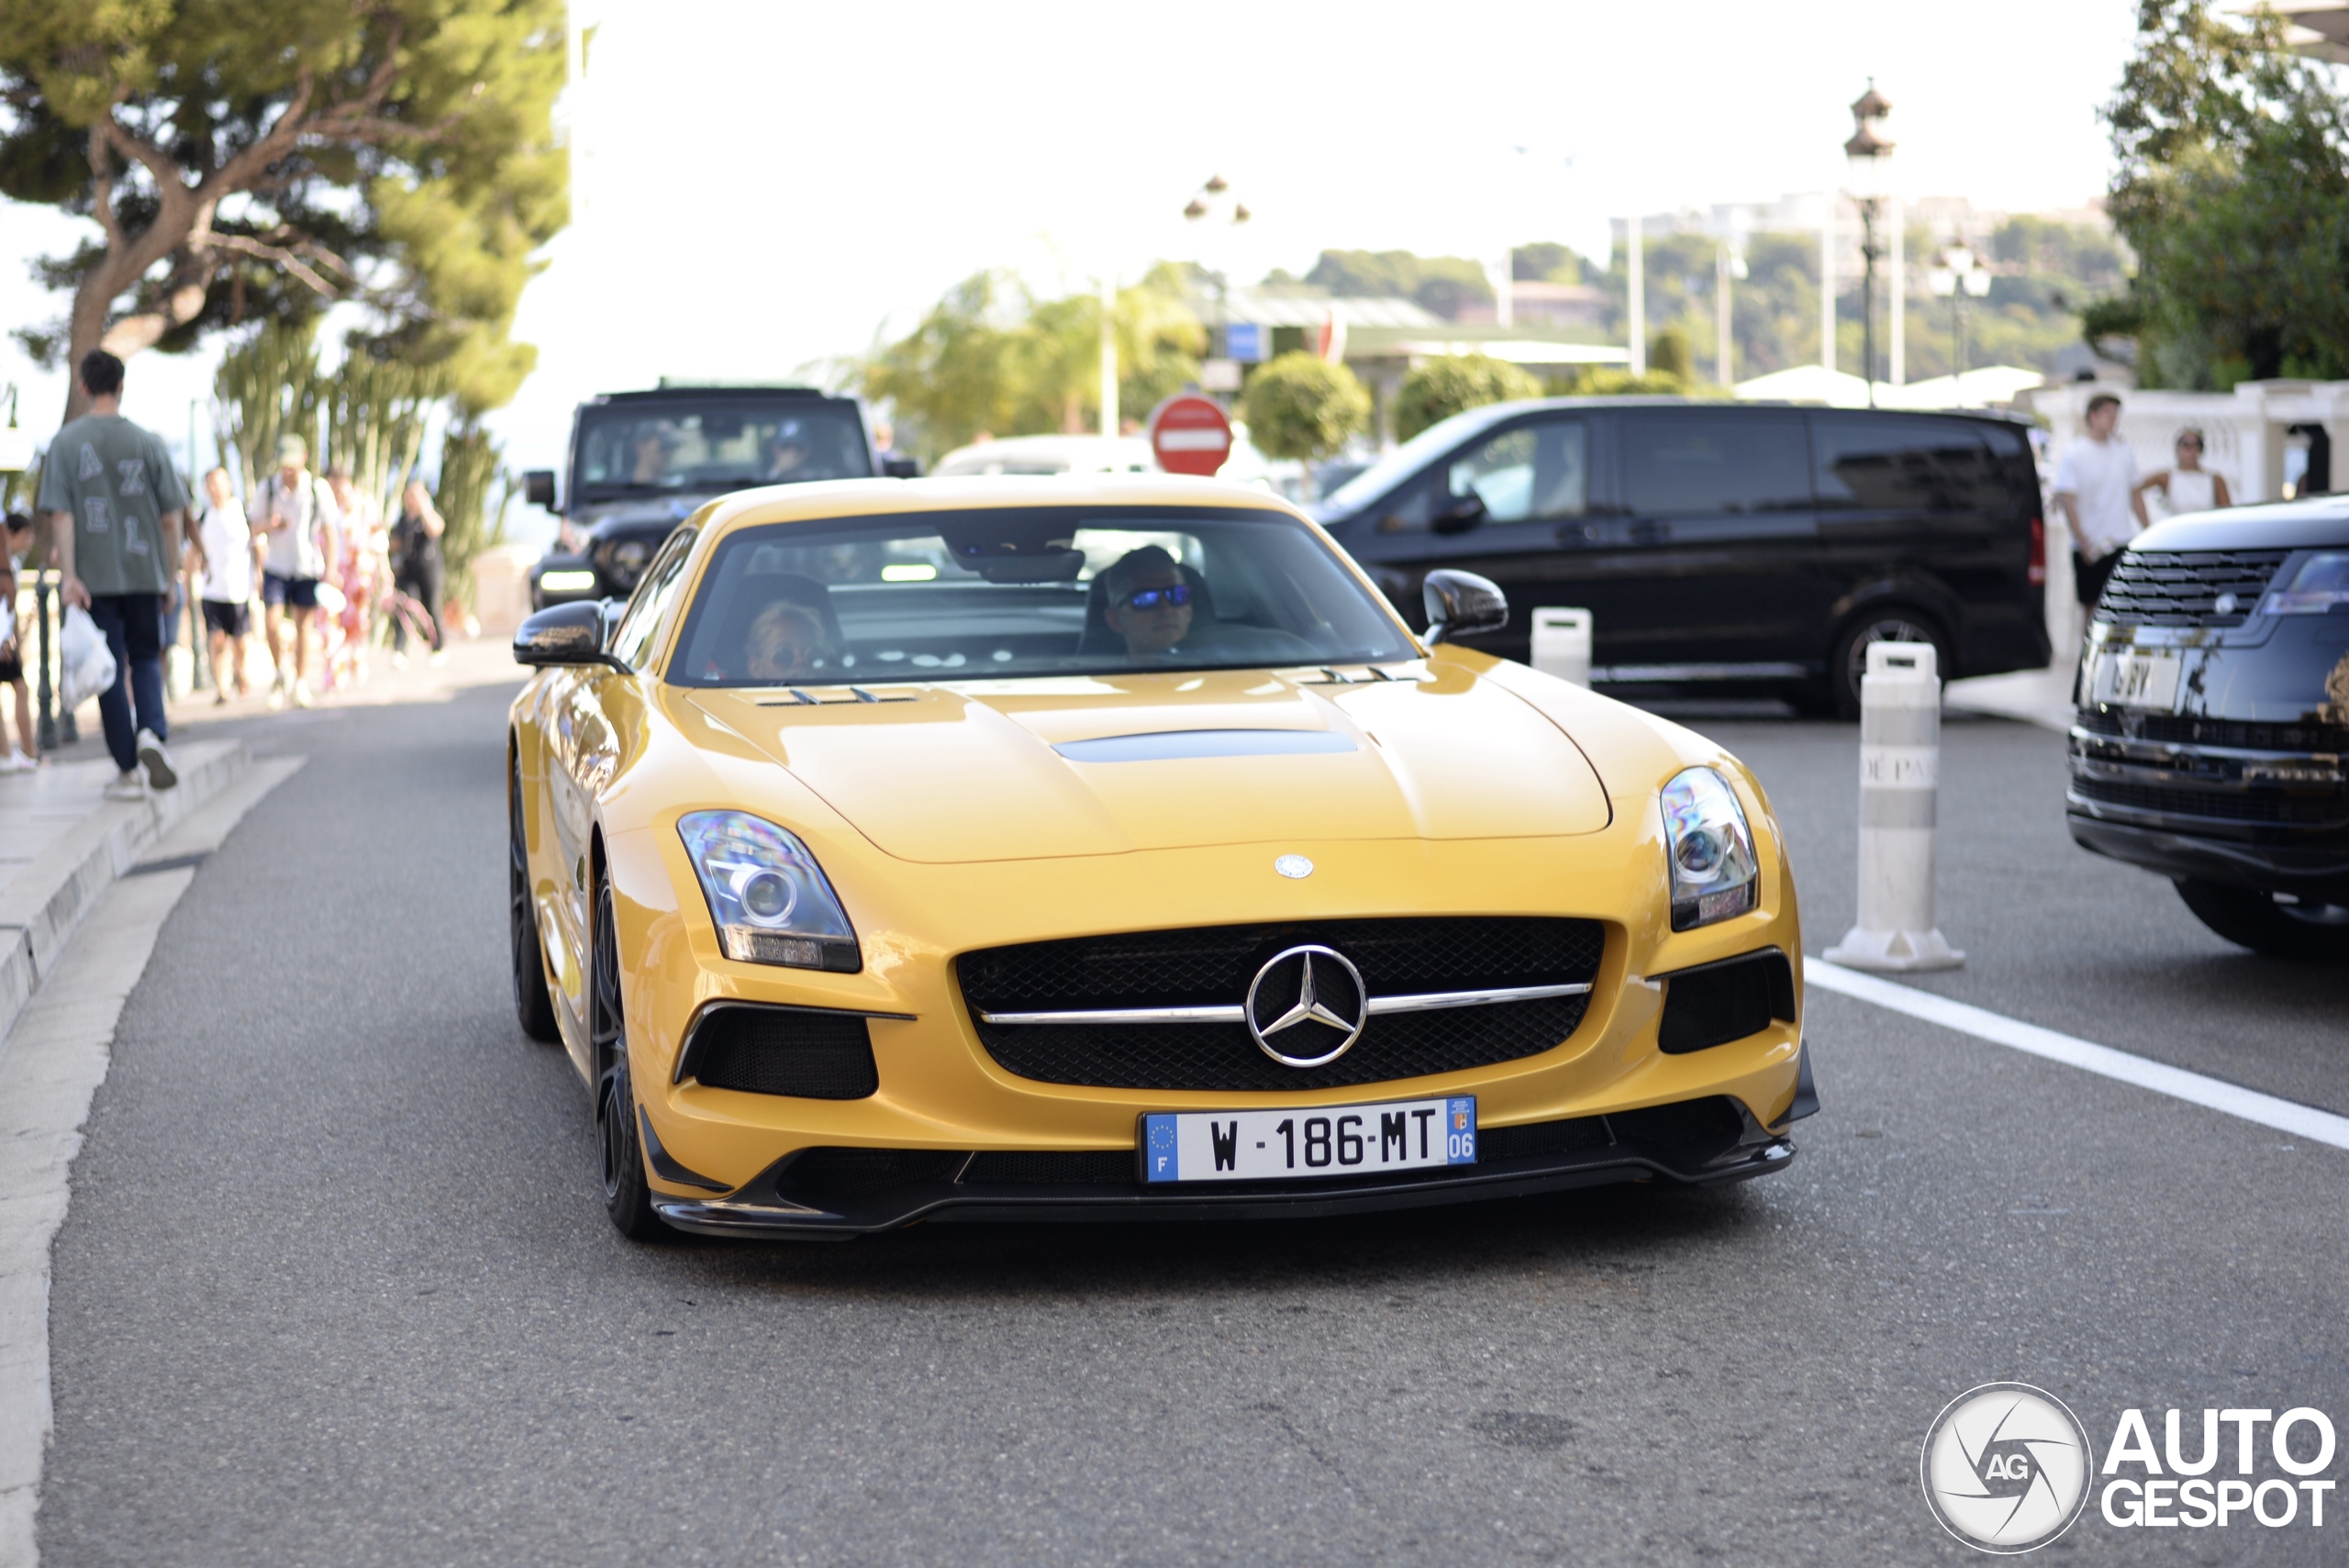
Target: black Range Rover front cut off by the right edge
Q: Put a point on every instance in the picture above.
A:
(2214, 722)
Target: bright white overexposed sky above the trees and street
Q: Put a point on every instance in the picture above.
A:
(769, 184)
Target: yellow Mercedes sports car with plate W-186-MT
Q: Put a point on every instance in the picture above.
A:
(920, 851)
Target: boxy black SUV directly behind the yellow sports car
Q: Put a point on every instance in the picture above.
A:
(645, 461)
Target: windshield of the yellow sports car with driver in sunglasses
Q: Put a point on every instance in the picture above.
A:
(1025, 593)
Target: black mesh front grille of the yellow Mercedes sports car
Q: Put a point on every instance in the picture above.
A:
(1213, 966)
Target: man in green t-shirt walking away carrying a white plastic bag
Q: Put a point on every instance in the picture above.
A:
(116, 511)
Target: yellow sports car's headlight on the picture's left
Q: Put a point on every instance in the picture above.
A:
(767, 895)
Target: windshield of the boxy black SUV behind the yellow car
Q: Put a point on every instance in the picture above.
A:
(718, 445)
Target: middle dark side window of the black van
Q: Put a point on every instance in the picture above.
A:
(1697, 464)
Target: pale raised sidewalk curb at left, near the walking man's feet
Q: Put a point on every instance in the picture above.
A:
(48, 900)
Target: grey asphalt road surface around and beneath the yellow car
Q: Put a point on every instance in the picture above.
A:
(337, 1287)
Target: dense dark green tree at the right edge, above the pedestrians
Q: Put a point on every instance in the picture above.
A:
(2233, 189)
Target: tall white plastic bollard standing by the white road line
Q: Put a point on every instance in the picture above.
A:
(1899, 790)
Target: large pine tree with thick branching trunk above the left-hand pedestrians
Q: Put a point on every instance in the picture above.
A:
(267, 158)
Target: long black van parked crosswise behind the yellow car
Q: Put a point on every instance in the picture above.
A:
(1723, 548)
